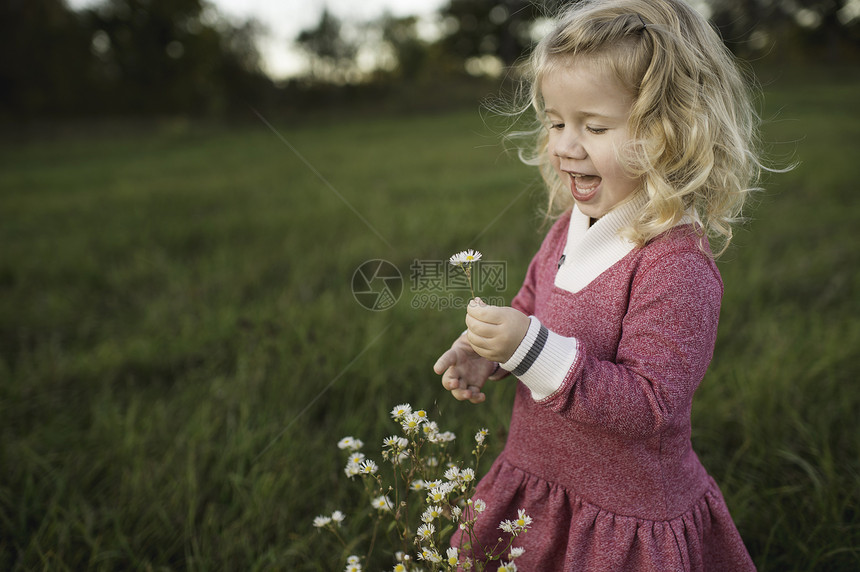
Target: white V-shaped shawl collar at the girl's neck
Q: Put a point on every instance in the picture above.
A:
(591, 250)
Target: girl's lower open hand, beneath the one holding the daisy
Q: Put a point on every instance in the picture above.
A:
(464, 372)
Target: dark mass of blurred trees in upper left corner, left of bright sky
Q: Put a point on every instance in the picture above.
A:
(125, 57)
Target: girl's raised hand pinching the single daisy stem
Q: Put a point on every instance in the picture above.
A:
(495, 331)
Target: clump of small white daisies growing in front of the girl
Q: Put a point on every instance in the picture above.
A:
(431, 495)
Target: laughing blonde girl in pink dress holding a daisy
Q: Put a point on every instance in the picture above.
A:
(646, 148)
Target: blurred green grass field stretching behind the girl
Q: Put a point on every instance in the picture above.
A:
(180, 350)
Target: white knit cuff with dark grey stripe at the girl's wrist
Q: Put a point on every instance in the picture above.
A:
(542, 360)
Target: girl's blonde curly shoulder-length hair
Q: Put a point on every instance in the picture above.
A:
(694, 129)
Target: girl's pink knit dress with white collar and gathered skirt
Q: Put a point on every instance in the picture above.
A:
(599, 451)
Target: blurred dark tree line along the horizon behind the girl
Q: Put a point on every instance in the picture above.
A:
(181, 56)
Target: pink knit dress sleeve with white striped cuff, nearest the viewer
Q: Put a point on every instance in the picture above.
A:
(667, 342)
